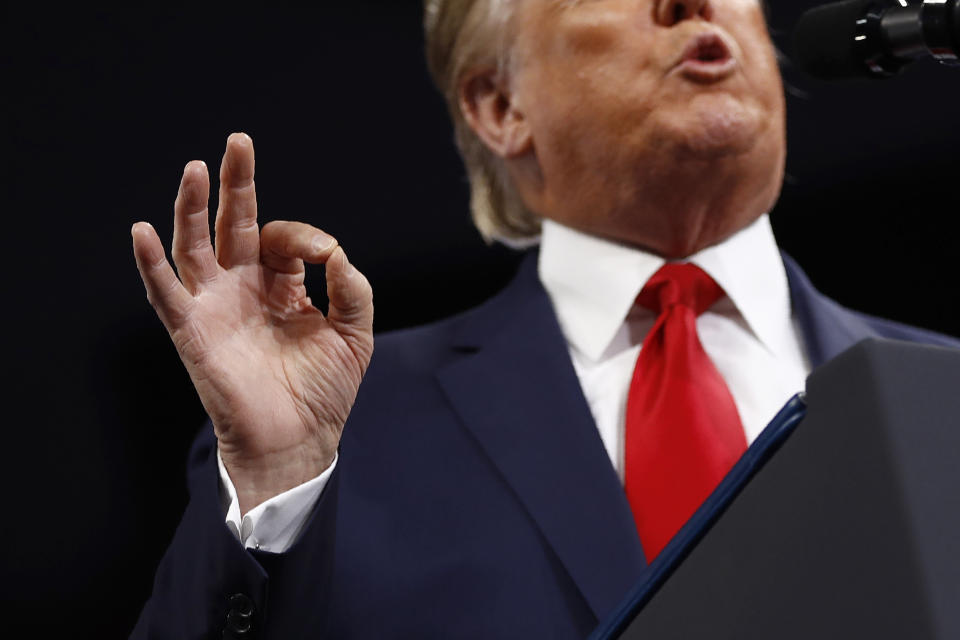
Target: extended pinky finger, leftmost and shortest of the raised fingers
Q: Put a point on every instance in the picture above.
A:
(165, 292)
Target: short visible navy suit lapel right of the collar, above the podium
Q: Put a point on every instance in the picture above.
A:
(828, 329)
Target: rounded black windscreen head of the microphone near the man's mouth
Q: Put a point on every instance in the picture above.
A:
(824, 40)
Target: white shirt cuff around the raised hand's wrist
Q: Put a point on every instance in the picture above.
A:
(273, 525)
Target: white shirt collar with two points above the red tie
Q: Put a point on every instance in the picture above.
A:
(594, 282)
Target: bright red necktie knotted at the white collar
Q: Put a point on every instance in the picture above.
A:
(683, 430)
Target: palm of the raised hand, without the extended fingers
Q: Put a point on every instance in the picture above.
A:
(260, 354)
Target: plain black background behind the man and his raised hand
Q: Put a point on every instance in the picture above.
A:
(101, 111)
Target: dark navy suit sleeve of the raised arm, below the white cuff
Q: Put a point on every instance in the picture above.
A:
(209, 586)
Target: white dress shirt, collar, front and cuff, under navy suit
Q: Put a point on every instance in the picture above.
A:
(593, 283)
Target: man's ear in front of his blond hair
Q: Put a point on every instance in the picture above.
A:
(491, 111)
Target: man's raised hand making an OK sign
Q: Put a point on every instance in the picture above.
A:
(276, 376)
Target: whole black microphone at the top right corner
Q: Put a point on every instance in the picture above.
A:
(875, 38)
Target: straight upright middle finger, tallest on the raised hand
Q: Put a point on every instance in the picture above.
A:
(238, 236)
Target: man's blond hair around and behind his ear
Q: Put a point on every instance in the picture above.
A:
(462, 35)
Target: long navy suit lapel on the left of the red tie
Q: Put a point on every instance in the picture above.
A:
(516, 391)
